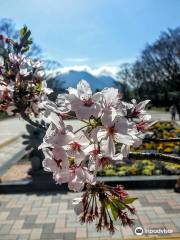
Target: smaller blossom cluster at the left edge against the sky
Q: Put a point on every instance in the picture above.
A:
(21, 80)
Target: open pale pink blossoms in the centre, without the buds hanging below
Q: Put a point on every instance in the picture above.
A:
(76, 156)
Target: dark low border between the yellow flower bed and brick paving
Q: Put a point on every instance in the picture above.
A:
(48, 185)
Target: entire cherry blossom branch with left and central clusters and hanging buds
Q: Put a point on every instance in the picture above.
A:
(73, 158)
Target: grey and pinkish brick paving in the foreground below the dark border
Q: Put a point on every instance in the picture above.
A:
(49, 216)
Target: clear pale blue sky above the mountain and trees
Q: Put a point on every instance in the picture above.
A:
(93, 32)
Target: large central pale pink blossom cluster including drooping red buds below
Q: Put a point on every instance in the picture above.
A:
(75, 156)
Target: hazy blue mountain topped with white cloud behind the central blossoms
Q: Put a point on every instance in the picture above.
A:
(71, 78)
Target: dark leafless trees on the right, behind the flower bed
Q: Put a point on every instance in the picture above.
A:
(156, 72)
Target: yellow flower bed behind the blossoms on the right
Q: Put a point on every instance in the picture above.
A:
(159, 130)
